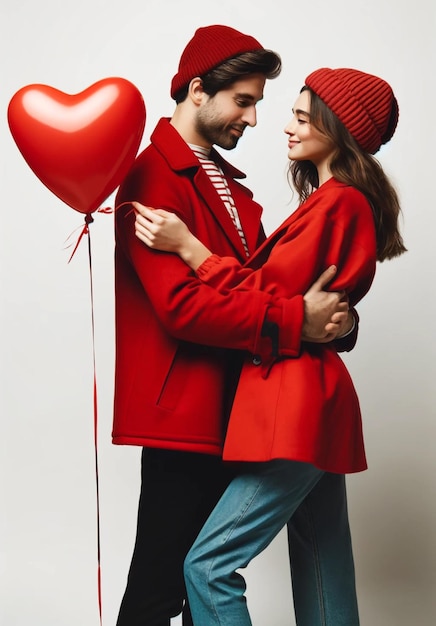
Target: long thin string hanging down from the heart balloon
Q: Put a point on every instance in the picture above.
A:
(88, 220)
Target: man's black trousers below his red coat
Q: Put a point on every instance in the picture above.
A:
(178, 492)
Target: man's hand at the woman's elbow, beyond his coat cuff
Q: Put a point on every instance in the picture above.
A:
(326, 313)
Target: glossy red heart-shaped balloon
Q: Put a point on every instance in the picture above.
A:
(80, 146)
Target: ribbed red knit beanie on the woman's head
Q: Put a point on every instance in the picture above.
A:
(364, 103)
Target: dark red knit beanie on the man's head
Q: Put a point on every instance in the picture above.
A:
(209, 47)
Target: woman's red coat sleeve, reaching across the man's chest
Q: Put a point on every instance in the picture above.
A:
(338, 231)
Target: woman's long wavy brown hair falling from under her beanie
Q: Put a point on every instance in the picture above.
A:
(353, 166)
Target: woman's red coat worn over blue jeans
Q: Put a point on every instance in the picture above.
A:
(303, 408)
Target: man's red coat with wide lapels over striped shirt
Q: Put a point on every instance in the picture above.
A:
(169, 391)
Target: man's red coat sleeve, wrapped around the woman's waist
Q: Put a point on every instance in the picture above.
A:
(188, 309)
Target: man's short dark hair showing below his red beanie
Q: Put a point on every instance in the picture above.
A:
(262, 61)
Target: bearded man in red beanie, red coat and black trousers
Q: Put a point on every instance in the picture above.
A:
(172, 392)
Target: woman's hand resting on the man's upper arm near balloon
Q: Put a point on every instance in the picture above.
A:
(162, 230)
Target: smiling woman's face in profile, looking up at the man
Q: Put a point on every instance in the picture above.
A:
(305, 142)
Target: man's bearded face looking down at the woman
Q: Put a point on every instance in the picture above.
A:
(222, 119)
